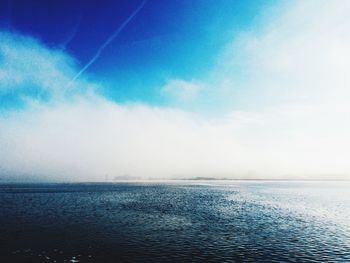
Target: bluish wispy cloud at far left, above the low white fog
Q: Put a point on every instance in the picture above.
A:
(25, 64)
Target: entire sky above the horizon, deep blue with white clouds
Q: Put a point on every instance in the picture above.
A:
(174, 89)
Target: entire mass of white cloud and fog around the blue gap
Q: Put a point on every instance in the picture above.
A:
(281, 92)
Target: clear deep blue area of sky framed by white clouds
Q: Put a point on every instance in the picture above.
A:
(165, 40)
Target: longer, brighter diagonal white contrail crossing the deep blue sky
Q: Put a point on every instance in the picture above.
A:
(108, 41)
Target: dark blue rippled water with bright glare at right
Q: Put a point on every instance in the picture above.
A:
(176, 222)
